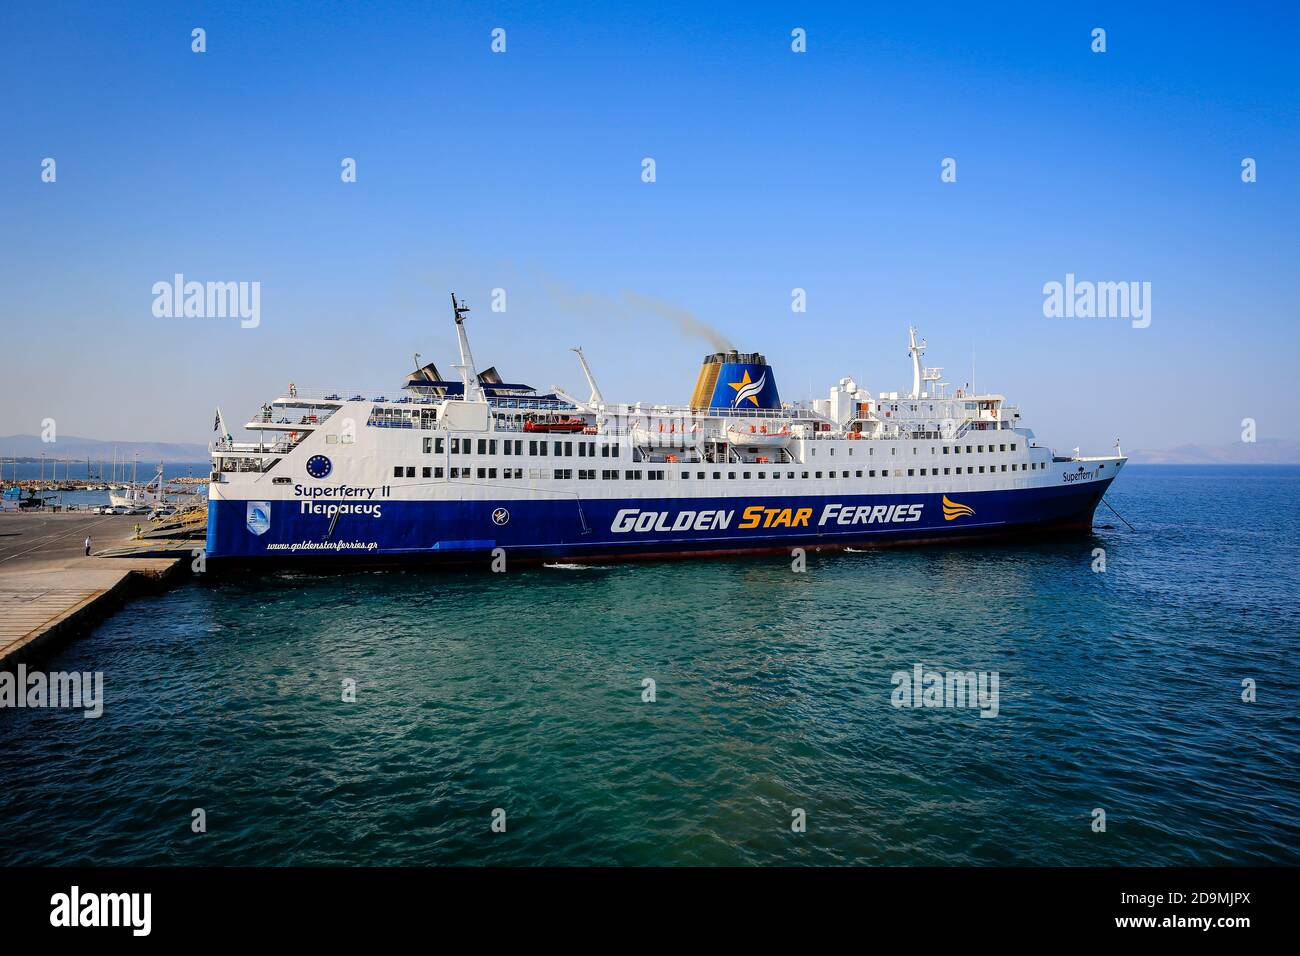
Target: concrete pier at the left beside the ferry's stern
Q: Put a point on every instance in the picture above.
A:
(49, 587)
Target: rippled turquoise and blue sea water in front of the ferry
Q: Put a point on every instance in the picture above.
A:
(523, 691)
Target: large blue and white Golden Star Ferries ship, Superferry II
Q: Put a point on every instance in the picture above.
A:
(466, 469)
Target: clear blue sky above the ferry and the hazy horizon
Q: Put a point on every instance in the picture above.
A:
(774, 171)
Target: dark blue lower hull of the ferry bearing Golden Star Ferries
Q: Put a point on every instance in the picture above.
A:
(573, 529)
